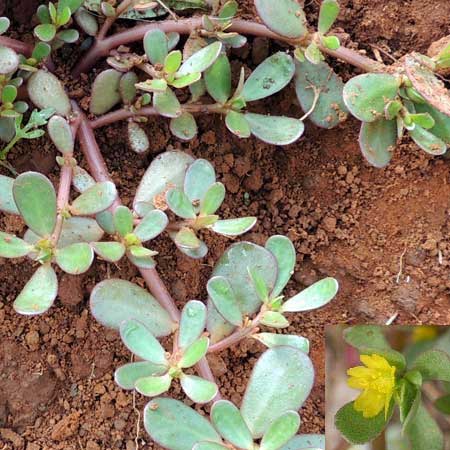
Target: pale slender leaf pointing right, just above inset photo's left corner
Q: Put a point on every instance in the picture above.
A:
(314, 296)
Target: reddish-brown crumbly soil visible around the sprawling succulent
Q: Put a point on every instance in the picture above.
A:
(382, 233)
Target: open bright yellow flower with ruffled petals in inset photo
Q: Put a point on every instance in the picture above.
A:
(377, 381)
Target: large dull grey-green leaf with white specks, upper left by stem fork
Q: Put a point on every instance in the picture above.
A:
(46, 91)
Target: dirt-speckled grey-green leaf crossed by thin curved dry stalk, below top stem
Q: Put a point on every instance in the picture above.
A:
(330, 108)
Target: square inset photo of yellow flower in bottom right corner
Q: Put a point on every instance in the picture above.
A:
(387, 387)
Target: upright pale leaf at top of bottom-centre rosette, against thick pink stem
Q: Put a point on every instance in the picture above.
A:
(192, 323)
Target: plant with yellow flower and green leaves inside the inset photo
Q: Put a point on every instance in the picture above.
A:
(391, 379)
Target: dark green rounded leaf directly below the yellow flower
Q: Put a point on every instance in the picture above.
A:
(357, 429)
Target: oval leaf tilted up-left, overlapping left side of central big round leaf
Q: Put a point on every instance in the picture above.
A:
(222, 295)
